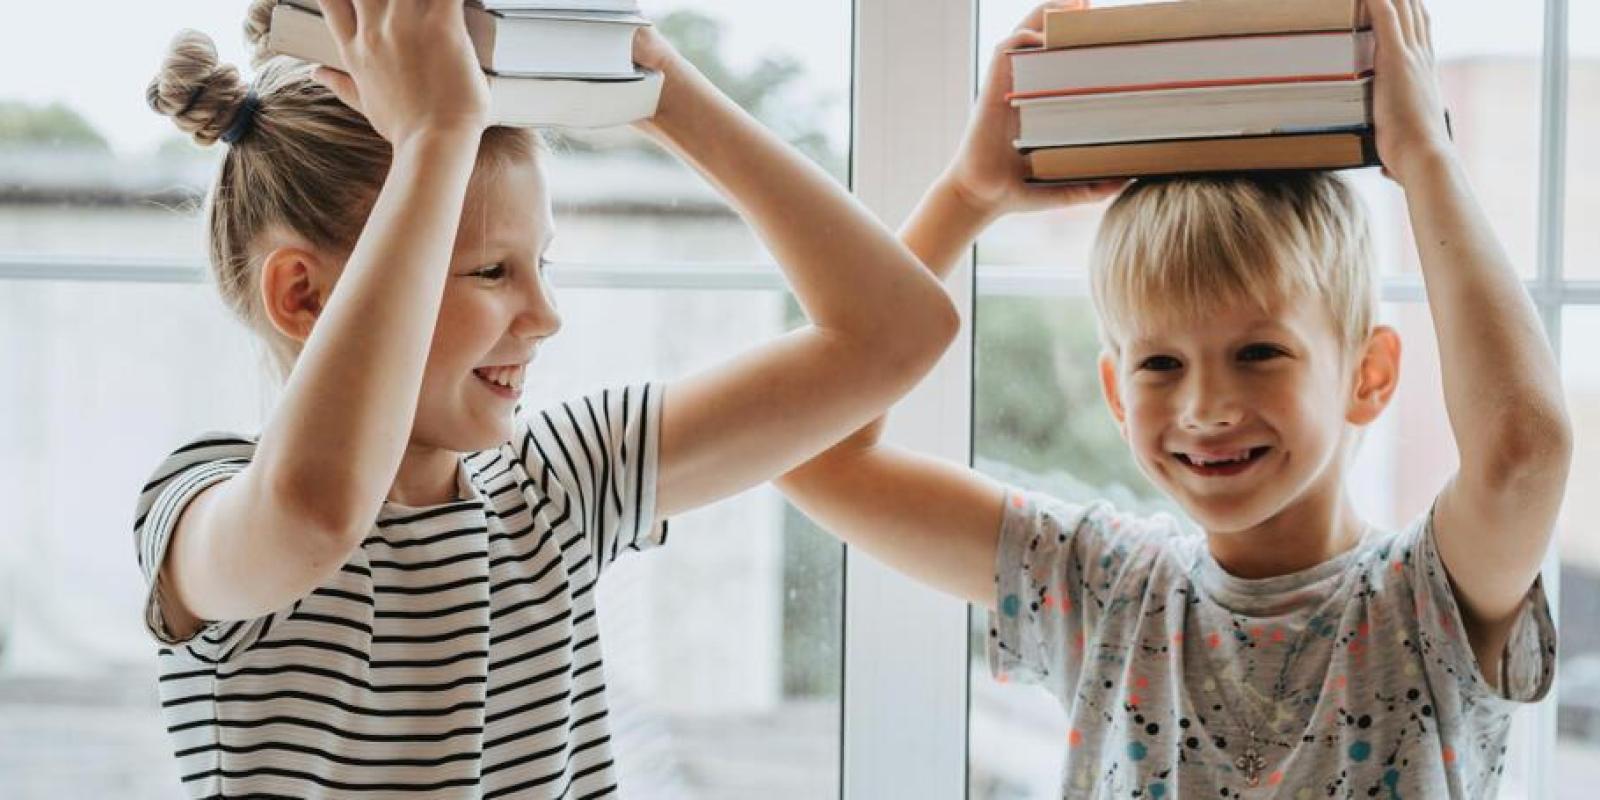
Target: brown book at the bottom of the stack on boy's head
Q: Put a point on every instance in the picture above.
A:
(1310, 151)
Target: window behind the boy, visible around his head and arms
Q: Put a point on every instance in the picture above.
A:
(1041, 420)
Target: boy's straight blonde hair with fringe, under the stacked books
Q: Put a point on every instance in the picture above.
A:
(1196, 246)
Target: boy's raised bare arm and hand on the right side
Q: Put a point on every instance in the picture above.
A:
(1503, 390)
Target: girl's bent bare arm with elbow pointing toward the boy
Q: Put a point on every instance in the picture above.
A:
(879, 321)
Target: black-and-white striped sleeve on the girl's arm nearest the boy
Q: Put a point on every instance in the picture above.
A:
(596, 458)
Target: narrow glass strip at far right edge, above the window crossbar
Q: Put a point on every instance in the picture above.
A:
(1583, 130)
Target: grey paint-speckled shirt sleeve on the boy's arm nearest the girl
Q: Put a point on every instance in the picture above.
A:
(1058, 572)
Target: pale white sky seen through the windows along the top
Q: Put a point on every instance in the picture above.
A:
(103, 71)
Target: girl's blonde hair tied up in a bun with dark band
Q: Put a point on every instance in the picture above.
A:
(308, 164)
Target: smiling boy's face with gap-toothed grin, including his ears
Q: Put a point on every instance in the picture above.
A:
(1242, 414)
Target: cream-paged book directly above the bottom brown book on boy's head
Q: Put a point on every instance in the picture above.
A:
(1194, 113)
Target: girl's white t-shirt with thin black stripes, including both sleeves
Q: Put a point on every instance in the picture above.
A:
(457, 652)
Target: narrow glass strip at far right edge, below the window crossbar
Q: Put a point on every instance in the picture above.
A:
(1578, 690)
